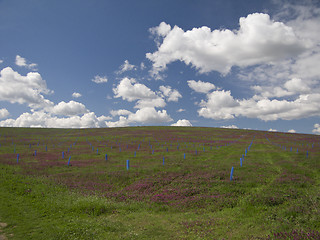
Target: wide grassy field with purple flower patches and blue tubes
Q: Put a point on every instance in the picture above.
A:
(177, 186)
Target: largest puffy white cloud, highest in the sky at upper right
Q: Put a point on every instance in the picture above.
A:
(258, 40)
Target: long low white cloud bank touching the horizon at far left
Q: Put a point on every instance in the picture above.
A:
(47, 120)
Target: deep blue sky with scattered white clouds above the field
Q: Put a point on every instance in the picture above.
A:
(239, 64)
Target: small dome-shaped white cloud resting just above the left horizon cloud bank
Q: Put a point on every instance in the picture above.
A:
(69, 109)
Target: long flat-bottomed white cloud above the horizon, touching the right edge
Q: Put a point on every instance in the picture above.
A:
(221, 105)
